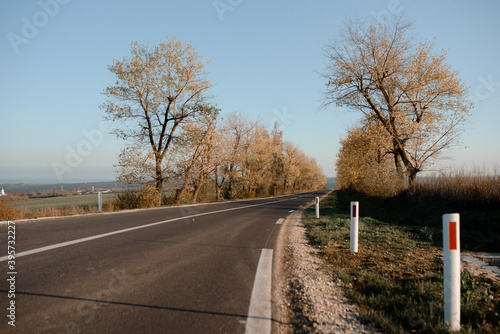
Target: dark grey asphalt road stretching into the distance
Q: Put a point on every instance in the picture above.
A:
(169, 270)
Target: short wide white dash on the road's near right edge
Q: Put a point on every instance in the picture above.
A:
(259, 312)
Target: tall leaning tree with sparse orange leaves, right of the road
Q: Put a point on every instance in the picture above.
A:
(406, 87)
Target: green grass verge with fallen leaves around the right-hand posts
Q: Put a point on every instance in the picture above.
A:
(397, 277)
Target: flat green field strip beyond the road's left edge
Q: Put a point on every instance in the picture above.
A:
(63, 202)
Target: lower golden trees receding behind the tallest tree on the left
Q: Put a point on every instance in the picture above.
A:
(217, 158)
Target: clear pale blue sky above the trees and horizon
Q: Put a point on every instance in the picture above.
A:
(266, 59)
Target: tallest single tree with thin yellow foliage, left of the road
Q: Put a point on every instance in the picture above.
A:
(156, 91)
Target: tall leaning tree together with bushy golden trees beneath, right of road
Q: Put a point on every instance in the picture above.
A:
(413, 104)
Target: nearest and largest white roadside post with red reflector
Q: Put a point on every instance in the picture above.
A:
(451, 262)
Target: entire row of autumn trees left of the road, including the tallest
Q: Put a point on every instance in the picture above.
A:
(177, 137)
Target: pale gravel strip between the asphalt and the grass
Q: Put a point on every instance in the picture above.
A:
(306, 299)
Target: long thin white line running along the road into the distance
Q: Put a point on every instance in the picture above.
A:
(77, 241)
